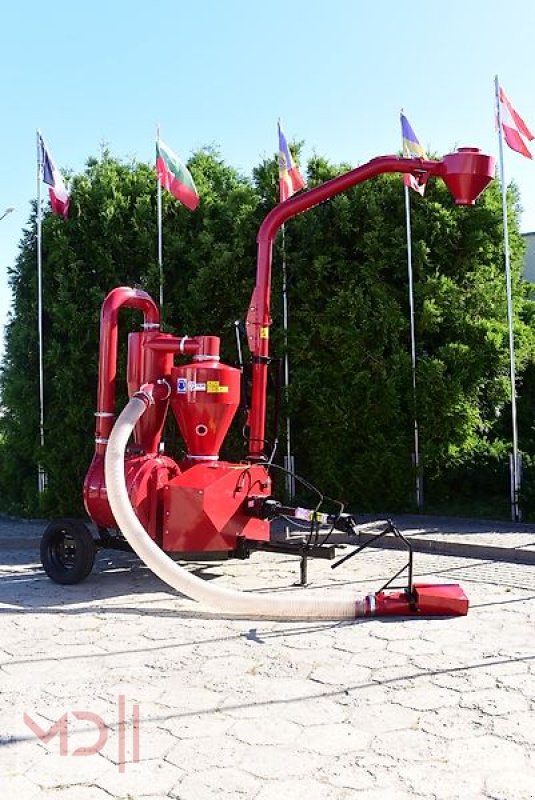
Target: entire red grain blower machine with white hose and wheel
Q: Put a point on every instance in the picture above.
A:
(202, 507)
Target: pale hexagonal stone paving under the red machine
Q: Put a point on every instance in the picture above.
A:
(264, 709)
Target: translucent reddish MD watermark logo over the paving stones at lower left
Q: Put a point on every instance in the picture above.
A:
(60, 728)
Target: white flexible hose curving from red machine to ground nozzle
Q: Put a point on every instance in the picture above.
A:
(281, 605)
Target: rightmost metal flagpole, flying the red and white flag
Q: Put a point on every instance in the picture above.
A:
(514, 460)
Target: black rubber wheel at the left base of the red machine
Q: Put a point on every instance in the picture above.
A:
(67, 551)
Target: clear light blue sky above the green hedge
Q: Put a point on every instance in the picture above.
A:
(221, 73)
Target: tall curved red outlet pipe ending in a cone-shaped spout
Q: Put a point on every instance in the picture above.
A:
(466, 173)
